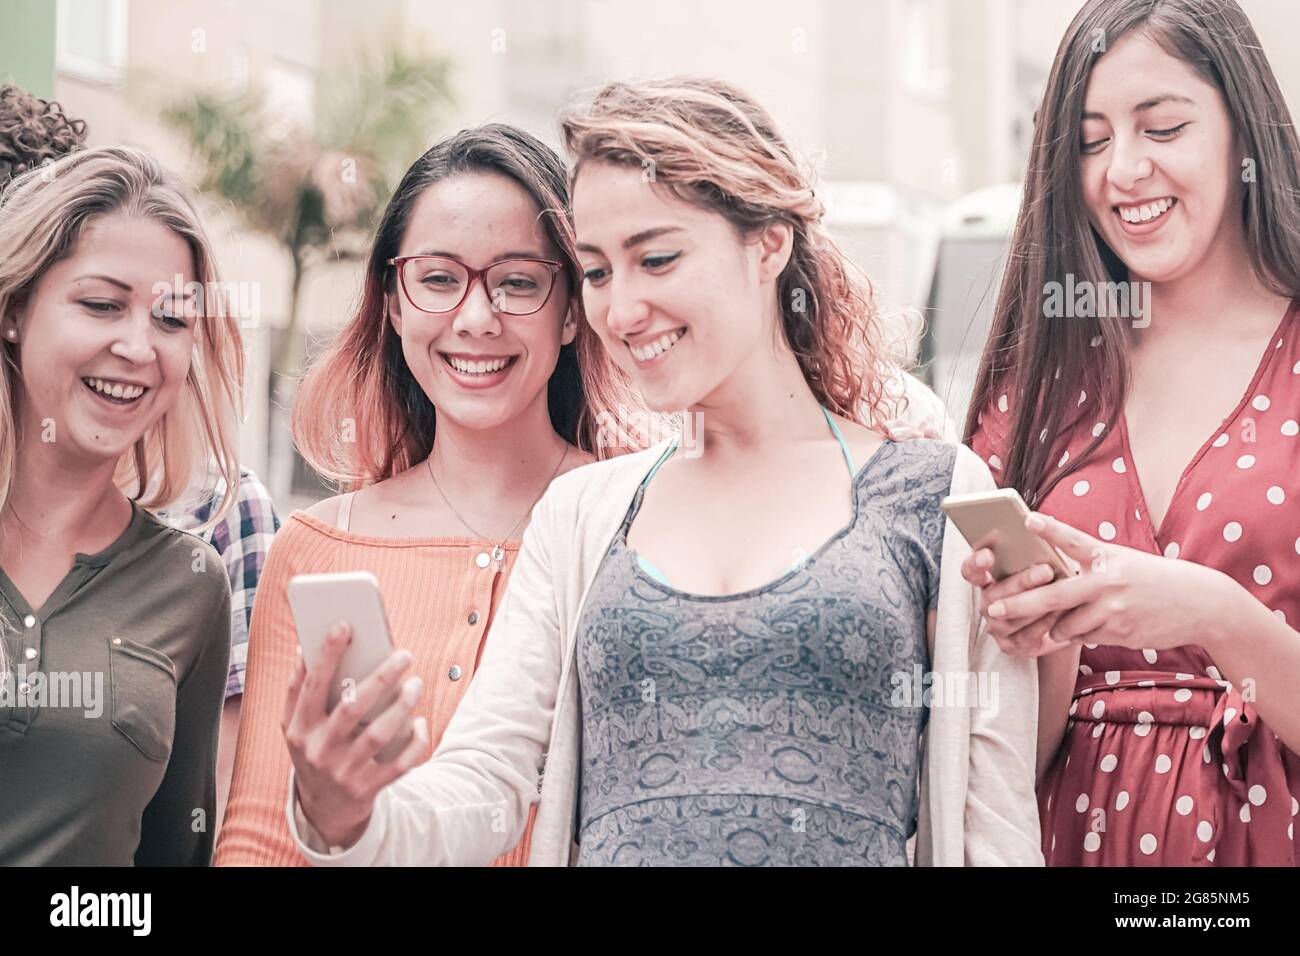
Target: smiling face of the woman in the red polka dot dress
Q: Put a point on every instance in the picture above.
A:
(1160, 167)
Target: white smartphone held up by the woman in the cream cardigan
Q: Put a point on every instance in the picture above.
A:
(320, 602)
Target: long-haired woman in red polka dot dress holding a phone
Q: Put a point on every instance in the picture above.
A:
(1159, 447)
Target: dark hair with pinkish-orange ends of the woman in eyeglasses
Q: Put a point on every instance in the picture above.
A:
(365, 378)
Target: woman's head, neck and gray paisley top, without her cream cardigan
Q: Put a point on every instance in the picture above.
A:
(740, 708)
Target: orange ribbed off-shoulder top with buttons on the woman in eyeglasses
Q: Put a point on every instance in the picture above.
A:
(432, 589)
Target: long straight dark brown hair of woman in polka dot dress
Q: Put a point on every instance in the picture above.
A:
(1050, 364)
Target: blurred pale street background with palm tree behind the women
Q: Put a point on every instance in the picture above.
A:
(296, 118)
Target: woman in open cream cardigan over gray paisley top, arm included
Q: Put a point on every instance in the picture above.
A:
(696, 697)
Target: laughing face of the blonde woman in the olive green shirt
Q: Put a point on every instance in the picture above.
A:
(102, 357)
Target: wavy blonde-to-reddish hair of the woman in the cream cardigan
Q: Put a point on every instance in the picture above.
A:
(713, 146)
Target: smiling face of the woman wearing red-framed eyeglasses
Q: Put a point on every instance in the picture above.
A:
(480, 367)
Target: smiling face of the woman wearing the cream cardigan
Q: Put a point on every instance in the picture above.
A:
(674, 293)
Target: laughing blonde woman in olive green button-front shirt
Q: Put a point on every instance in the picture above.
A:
(116, 629)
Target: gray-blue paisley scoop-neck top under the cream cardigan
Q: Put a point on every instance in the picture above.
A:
(766, 728)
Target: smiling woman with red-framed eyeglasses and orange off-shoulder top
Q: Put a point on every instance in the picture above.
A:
(462, 387)
